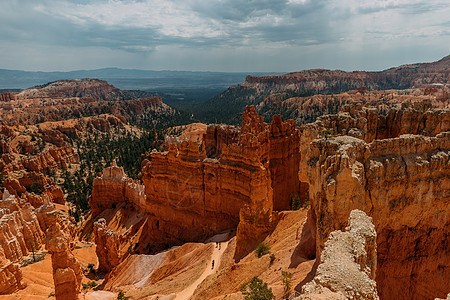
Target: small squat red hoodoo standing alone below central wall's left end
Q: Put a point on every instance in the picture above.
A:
(107, 247)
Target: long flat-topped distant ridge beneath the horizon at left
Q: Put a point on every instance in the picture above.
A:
(77, 98)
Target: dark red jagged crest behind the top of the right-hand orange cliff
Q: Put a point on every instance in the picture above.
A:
(368, 123)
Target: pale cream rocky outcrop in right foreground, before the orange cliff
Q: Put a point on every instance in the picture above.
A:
(347, 263)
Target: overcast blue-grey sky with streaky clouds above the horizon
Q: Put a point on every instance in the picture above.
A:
(222, 35)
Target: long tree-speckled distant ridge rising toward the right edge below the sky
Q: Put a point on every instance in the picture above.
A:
(292, 95)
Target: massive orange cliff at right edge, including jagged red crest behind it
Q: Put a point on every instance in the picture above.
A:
(402, 182)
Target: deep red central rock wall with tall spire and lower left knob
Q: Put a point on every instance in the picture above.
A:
(194, 189)
